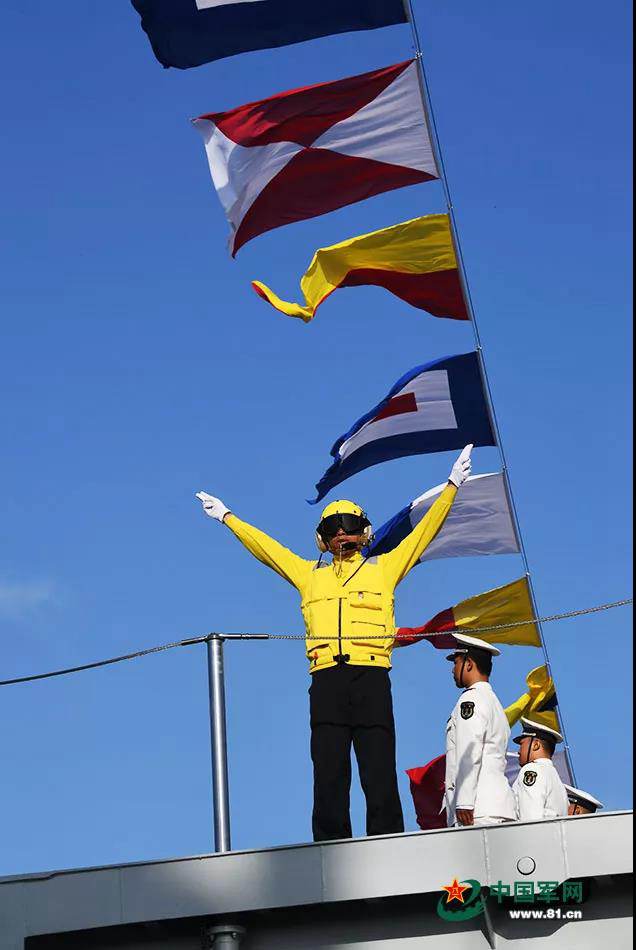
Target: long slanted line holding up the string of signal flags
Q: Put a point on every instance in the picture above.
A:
(439, 158)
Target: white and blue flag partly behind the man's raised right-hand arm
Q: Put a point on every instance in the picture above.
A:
(479, 522)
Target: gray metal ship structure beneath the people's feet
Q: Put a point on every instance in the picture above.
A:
(365, 894)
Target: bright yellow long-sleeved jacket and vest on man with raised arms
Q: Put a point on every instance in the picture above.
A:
(348, 605)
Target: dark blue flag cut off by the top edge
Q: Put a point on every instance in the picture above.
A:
(186, 33)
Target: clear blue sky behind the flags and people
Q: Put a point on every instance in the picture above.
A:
(137, 366)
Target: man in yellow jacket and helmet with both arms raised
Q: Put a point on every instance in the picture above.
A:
(347, 607)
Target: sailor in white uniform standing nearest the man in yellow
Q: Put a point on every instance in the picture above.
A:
(477, 735)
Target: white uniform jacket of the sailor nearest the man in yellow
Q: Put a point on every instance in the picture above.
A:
(477, 736)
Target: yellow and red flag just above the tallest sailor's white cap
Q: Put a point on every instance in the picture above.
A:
(511, 604)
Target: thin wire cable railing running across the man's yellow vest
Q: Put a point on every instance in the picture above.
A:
(297, 637)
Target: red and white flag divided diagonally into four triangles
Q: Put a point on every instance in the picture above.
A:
(305, 152)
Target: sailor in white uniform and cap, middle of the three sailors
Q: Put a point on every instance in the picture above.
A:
(538, 789)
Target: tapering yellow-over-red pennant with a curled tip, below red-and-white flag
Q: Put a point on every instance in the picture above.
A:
(415, 261)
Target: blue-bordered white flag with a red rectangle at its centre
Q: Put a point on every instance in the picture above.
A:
(433, 408)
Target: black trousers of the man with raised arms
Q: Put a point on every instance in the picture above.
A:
(352, 705)
